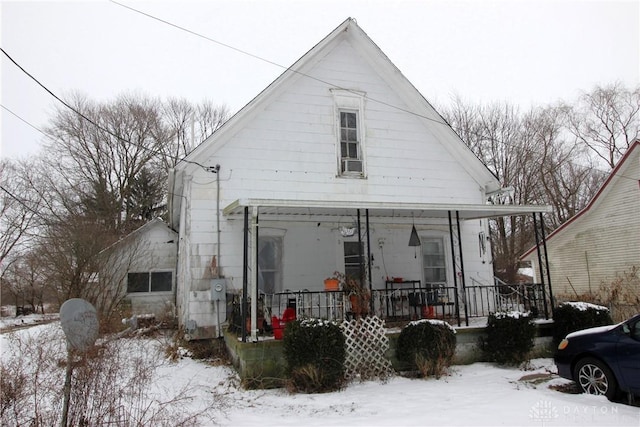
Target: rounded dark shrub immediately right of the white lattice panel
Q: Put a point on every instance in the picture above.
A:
(428, 346)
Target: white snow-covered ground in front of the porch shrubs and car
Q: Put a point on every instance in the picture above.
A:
(480, 394)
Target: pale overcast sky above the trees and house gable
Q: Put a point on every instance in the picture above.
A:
(528, 53)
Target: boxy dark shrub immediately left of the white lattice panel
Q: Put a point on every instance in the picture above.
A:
(314, 351)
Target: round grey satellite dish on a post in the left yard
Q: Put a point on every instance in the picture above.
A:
(79, 321)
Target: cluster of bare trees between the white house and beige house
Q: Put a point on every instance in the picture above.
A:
(530, 155)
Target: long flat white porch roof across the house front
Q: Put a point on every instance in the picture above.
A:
(305, 208)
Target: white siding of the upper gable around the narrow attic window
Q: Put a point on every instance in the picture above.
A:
(289, 150)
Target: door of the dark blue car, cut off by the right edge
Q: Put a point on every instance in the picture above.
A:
(628, 354)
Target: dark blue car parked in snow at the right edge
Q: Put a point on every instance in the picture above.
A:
(603, 360)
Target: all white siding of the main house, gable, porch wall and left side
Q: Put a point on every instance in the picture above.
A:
(289, 150)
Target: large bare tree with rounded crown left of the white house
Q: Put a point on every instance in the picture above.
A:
(102, 157)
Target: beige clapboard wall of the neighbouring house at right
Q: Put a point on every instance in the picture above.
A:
(602, 240)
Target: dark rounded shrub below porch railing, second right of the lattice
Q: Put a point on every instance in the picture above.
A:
(509, 337)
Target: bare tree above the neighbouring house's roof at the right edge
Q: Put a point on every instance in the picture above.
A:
(607, 120)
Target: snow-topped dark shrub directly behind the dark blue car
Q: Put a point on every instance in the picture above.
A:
(574, 316)
